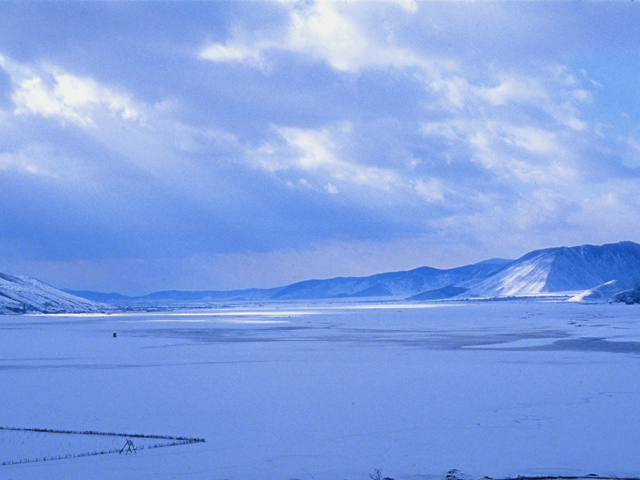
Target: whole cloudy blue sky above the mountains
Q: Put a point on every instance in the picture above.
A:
(148, 146)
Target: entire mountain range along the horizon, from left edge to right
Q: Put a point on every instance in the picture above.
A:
(582, 273)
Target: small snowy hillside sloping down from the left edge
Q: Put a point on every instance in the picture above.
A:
(28, 295)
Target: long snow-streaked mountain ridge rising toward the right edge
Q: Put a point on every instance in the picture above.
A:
(601, 271)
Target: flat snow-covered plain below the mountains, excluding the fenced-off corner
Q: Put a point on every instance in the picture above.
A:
(331, 392)
